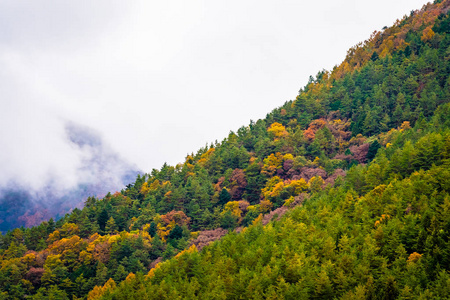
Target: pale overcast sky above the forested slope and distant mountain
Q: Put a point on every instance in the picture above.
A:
(158, 79)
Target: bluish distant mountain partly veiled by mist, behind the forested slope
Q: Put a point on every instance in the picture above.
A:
(103, 169)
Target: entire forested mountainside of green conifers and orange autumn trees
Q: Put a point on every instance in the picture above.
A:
(342, 193)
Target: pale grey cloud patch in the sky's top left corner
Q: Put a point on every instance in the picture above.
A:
(57, 25)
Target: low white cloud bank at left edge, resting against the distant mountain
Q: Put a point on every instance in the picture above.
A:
(34, 147)
